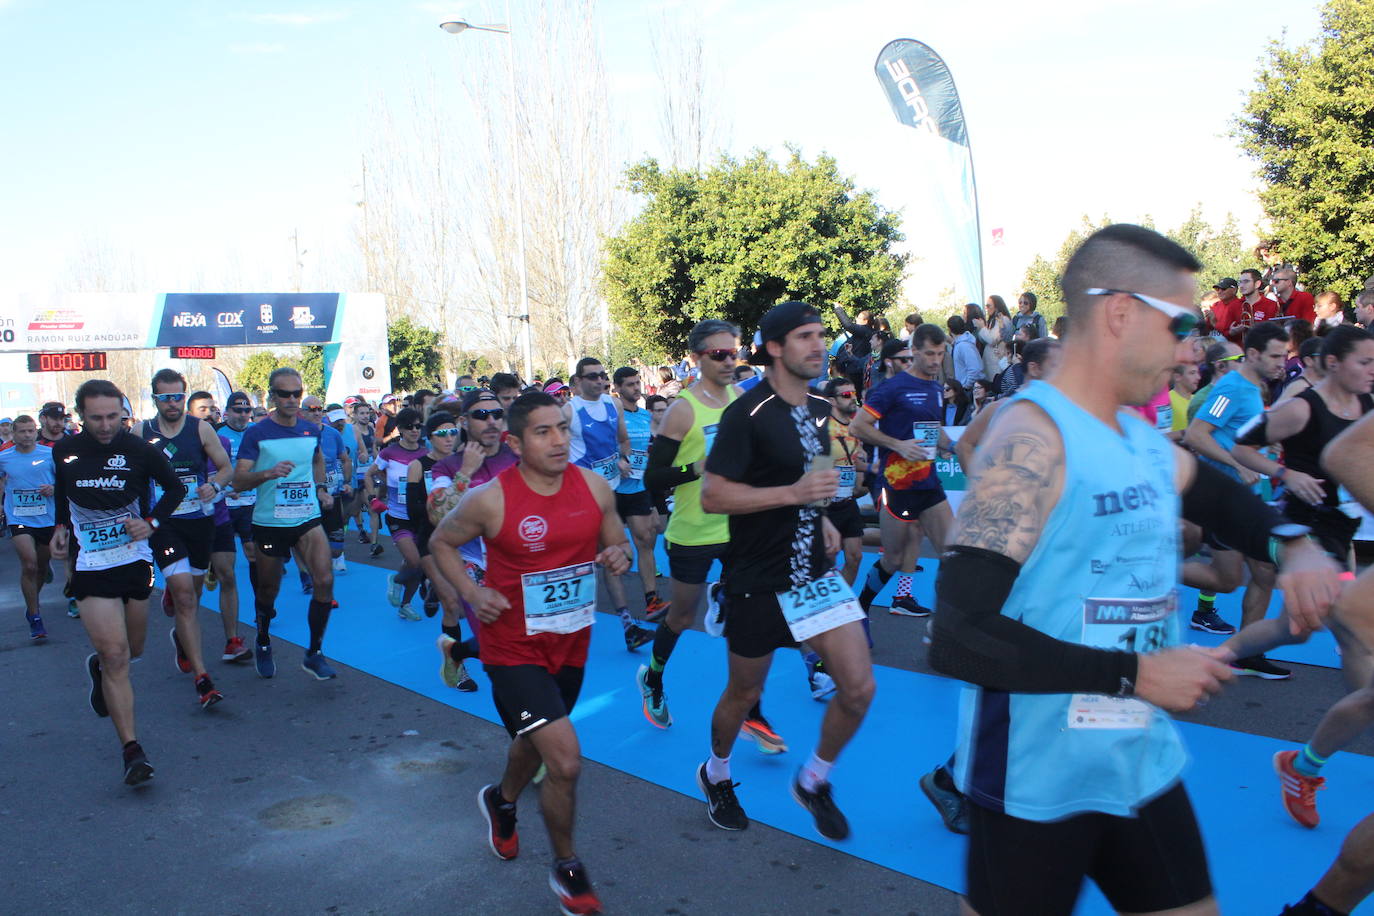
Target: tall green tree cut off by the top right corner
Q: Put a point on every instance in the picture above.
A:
(1309, 124)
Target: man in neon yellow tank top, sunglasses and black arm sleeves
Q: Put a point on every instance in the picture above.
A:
(696, 539)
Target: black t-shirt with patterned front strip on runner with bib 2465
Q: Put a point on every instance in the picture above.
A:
(765, 442)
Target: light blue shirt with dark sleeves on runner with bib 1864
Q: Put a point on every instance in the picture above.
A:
(286, 502)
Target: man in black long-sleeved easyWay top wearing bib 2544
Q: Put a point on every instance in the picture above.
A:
(104, 479)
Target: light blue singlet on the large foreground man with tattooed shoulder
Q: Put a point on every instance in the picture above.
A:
(1103, 575)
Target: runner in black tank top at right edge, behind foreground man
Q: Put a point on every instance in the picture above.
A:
(1307, 425)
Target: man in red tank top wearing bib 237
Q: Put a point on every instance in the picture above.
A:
(546, 527)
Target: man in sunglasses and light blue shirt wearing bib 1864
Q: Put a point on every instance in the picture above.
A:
(281, 459)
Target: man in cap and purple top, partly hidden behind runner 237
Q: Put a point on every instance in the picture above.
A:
(483, 458)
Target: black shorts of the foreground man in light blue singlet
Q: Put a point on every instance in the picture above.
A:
(1142, 865)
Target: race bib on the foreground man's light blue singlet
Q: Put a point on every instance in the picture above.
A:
(1131, 626)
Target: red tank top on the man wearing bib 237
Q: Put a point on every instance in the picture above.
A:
(538, 534)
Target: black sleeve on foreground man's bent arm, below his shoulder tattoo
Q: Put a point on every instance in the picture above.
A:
(973, 642)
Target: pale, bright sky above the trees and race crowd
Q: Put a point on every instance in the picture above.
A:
(201, 137)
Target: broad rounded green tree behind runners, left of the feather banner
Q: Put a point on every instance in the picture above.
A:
(743, 237)
